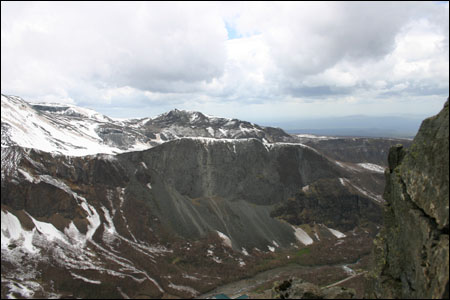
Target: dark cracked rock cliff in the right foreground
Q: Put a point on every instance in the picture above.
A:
(412, 251)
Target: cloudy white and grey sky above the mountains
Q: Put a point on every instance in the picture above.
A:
(272, 63)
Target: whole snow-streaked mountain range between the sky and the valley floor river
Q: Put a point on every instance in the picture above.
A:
(174, 205)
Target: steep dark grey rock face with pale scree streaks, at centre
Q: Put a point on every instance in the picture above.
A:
(200, 186)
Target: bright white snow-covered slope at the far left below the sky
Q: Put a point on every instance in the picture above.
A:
(60, 129)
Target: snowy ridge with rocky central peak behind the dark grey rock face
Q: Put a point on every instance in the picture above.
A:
(76, 131)
